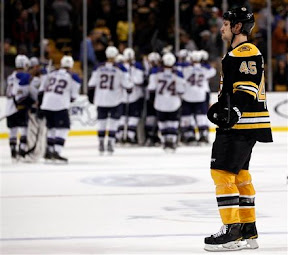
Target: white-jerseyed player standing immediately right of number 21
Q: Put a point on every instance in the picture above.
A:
(133, 102)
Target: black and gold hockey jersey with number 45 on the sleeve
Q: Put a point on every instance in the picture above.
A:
(243, 72)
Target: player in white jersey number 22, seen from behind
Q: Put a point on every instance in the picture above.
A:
(59, 89)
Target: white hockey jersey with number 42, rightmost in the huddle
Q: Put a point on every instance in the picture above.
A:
(197, 82)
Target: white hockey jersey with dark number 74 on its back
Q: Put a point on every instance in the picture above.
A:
(168, 85)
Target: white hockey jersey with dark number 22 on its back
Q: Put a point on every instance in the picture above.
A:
(59, 88)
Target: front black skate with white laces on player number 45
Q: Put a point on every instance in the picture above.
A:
(227, 239)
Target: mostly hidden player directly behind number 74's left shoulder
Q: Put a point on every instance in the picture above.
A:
(151, 128)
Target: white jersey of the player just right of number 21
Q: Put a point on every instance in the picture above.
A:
(136, 73)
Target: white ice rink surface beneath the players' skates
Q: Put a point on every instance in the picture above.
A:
(138, 201)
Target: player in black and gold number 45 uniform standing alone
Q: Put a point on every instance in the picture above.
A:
(243, 119)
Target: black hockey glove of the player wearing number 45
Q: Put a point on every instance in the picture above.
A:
(224, 118)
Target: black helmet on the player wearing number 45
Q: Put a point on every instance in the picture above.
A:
(242, 15)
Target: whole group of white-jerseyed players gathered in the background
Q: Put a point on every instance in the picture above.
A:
(171, 95)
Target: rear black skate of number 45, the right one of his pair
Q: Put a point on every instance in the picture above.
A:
(249, 235)
